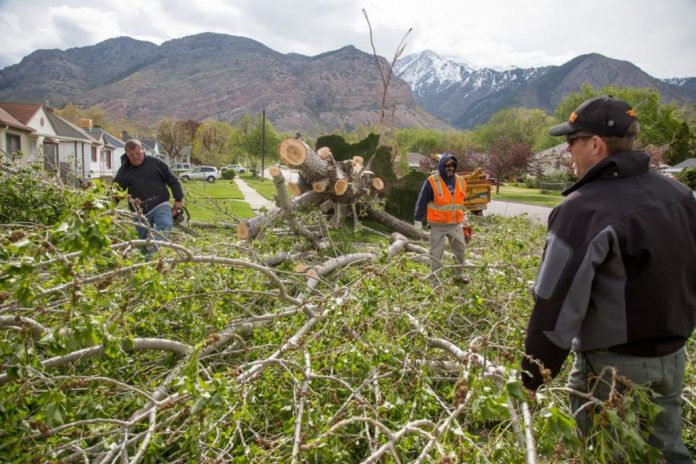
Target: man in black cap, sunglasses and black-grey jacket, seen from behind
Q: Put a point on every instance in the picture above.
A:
(617, 283)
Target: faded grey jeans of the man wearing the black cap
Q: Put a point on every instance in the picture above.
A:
(664, 375)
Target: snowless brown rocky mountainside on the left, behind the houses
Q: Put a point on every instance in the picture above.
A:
(214, 76)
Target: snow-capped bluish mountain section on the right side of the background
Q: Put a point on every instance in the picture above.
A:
(464, 96)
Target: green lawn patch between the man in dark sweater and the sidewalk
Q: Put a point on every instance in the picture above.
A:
(218, 202)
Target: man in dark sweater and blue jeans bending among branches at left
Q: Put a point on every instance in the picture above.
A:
(146, 178)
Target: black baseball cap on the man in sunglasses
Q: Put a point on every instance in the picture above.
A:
(603, 115)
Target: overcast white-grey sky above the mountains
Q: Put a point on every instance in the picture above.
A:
(659, 36)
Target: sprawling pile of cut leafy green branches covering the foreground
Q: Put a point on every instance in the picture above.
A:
(220, 350)
